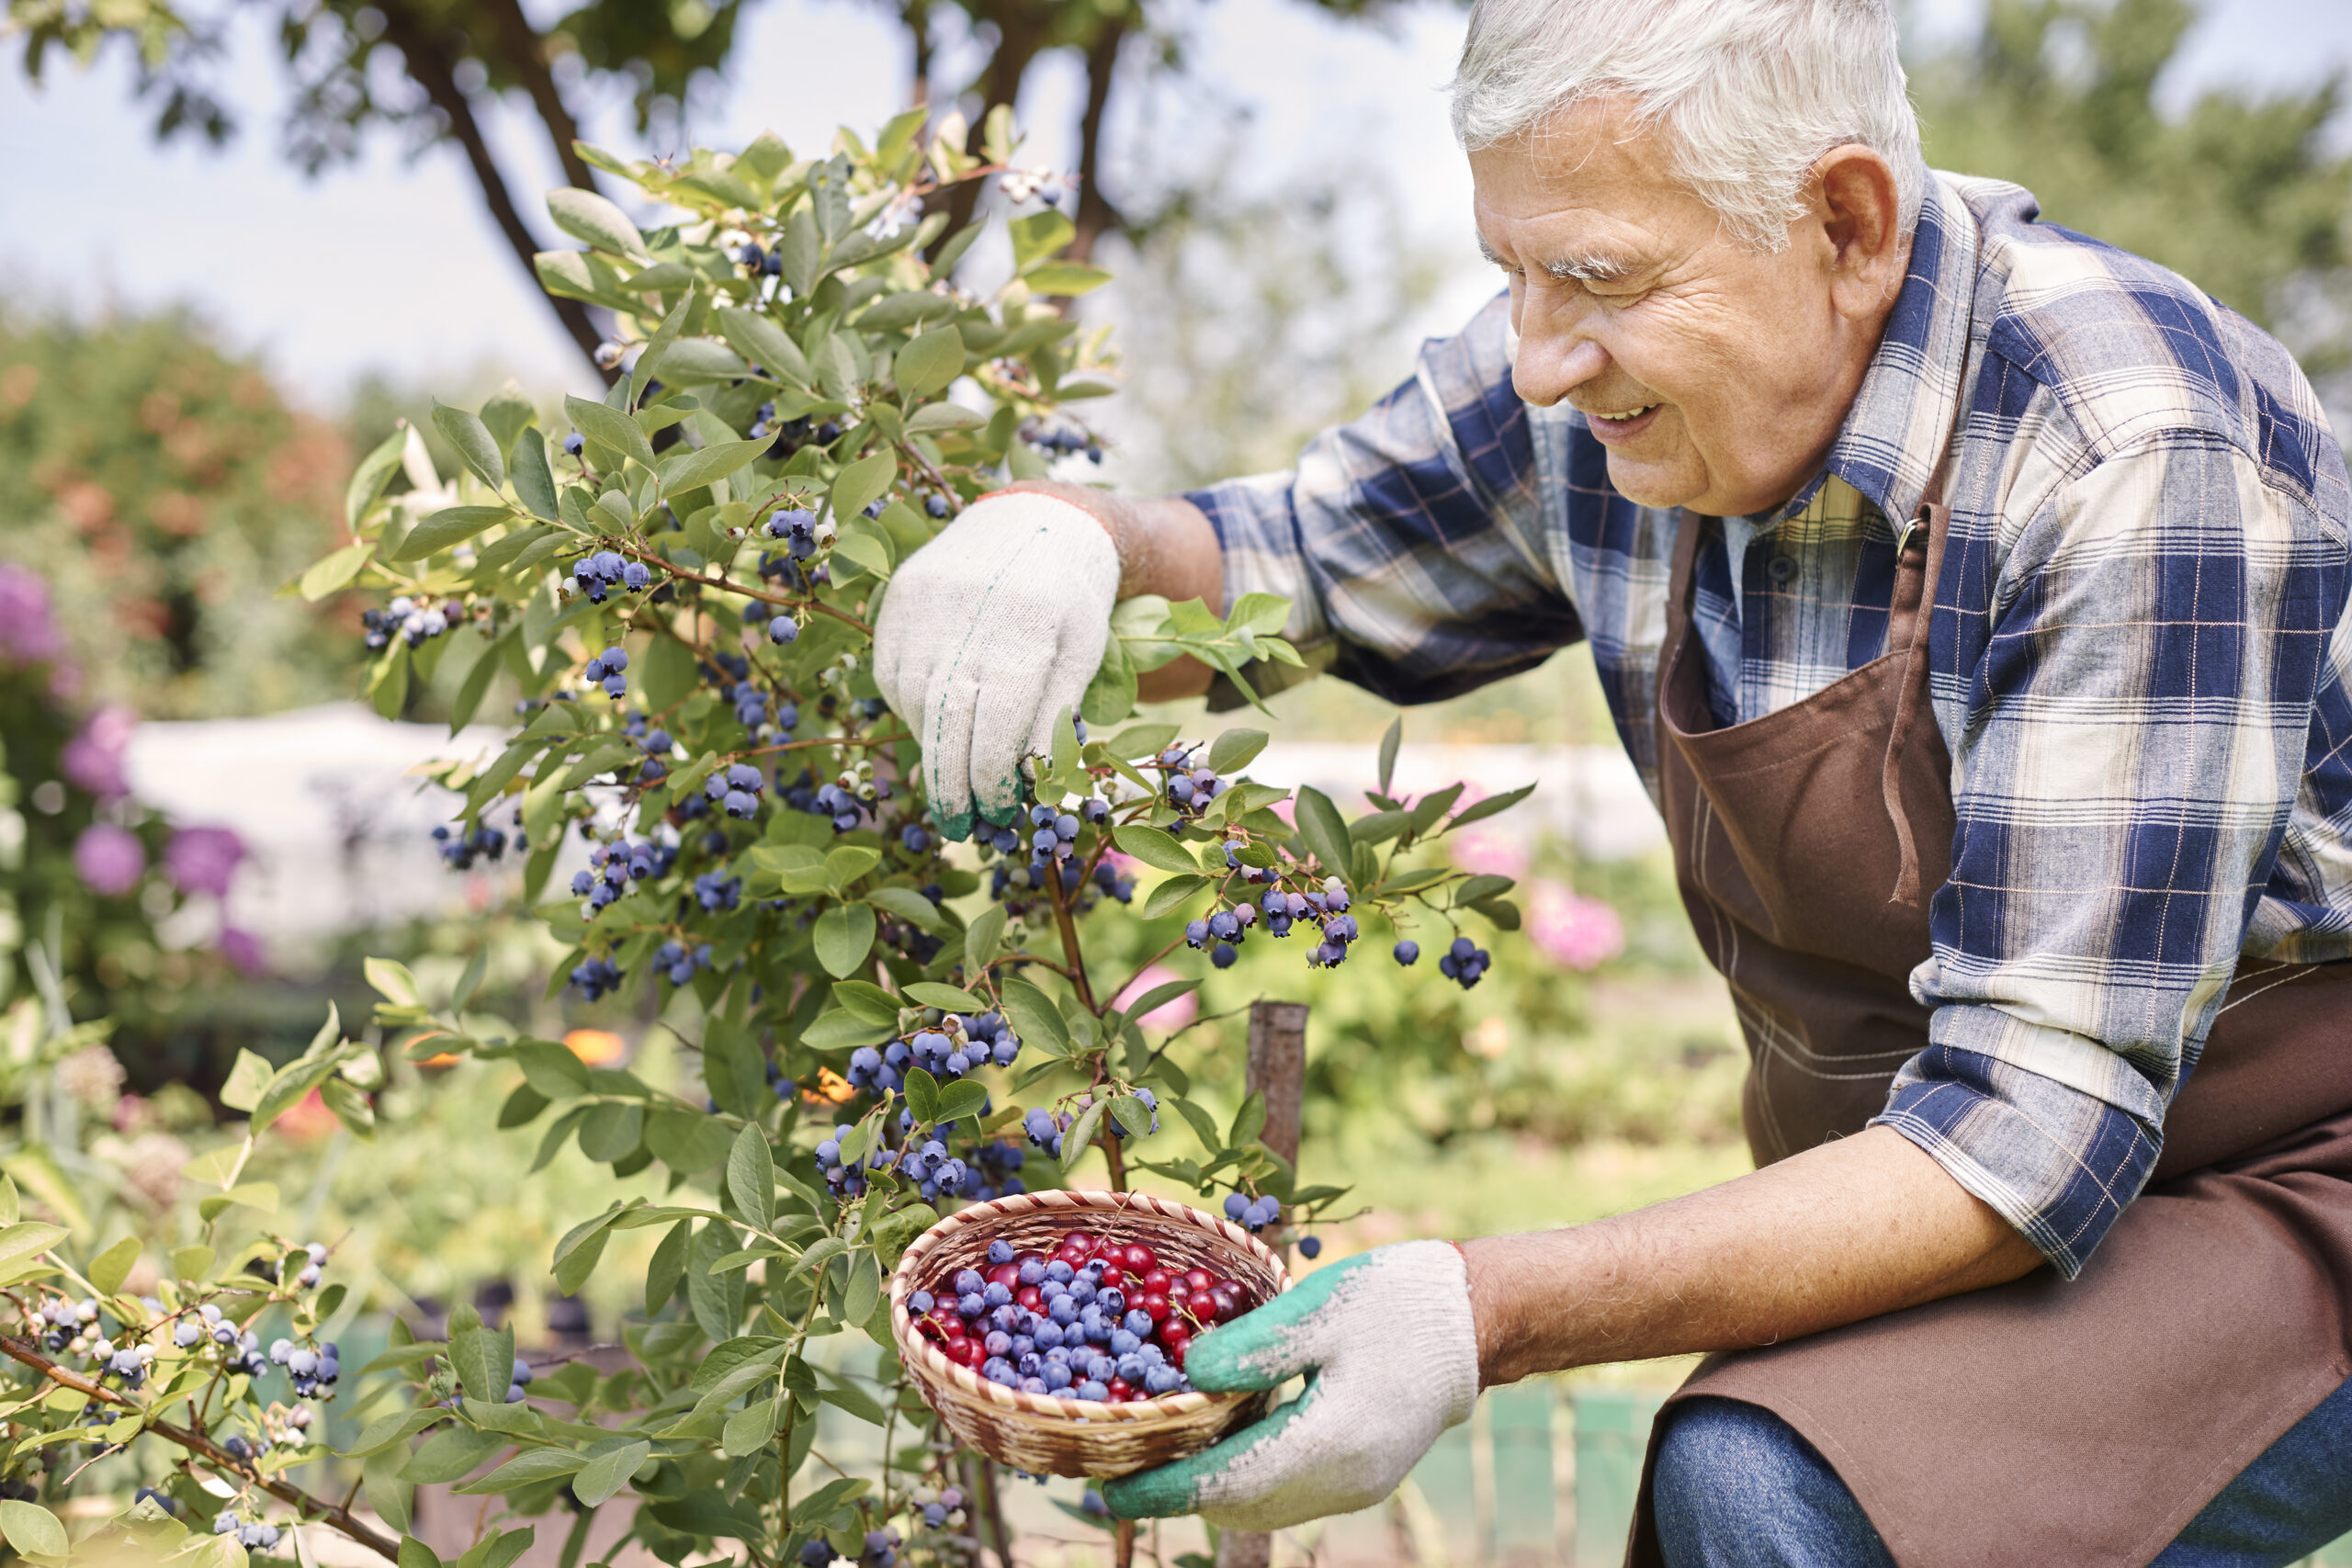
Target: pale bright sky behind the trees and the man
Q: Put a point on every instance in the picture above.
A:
(392, 264)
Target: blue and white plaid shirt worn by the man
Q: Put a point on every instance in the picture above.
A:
(2139, 652)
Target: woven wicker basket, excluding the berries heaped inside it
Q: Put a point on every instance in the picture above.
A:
(1078, 1438)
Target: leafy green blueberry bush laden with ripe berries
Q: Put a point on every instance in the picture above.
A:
(676, 587)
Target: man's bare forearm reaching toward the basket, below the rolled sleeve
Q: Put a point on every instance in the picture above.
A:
(1829, 1238)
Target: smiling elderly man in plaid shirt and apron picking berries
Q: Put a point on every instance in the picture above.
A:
(1972, 598)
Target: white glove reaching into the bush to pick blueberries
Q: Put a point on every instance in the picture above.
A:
(987, 638)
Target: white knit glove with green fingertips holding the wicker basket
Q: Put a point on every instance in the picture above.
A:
(1391, 1358)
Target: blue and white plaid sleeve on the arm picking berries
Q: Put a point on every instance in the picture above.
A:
(1410, 540)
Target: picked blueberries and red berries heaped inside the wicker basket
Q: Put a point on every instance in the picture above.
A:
(1095, 1320)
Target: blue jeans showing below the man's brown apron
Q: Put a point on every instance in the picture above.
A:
(1739, 1489)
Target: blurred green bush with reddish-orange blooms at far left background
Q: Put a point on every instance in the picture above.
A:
(166, 492)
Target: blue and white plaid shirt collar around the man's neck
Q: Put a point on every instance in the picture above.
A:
(1904, 413)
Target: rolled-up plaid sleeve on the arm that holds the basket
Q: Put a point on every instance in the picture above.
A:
(2132, 735)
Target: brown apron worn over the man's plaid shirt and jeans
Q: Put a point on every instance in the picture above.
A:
(2033, 1423)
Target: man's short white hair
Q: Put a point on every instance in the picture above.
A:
(1749, 93)
